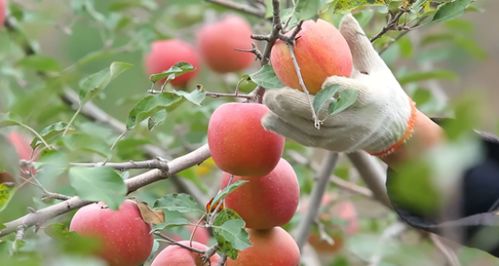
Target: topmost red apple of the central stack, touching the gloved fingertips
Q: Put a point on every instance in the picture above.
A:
(238, 142)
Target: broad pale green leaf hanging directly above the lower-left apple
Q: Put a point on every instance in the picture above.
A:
(98, 184)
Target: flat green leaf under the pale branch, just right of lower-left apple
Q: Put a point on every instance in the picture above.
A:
(179, 202)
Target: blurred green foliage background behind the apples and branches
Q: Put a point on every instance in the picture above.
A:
(441, 64)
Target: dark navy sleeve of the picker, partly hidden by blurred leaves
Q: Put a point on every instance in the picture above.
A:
(476, 222)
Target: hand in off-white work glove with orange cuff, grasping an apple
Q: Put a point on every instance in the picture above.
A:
(379, 122)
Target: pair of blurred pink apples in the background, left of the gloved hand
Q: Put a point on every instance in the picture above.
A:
(220, 46)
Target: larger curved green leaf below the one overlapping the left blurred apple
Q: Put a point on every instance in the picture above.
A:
(150, 105)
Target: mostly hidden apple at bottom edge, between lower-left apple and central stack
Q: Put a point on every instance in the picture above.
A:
(175, 255)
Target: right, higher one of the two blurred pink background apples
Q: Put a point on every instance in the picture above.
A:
(218, 43)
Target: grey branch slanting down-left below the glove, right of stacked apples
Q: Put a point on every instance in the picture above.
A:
(303, 230)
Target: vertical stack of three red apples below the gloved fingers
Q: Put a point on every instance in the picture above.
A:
(244, 150)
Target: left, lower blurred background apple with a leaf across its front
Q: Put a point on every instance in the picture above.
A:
(166, 53)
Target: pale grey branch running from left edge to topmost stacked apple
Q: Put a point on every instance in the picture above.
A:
(176, 165)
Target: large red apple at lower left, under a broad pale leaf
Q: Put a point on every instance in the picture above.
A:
(125, 237)
